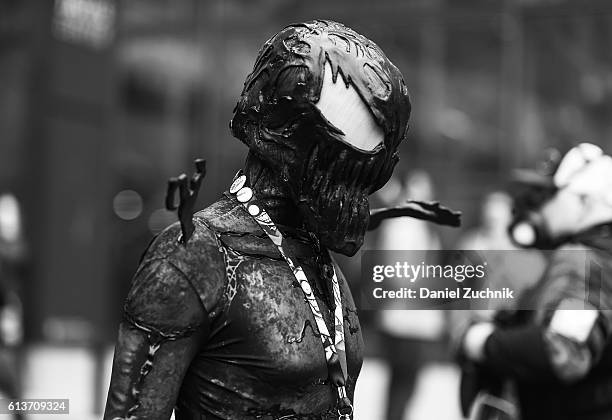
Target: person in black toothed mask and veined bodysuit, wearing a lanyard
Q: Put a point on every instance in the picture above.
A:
(249, 317)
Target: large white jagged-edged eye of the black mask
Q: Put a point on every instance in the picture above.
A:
(343, 107)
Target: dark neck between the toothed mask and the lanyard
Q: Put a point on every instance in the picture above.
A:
(272, 192)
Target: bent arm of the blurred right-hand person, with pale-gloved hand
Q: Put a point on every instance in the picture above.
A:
(561, 345)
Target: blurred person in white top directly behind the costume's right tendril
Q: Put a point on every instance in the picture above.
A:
(412, 338)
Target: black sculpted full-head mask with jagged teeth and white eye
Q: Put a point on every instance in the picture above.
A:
(325, 110)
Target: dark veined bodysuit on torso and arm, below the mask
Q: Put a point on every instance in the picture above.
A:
(255, 354)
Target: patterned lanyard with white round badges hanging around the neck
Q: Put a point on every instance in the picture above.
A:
(335, 352)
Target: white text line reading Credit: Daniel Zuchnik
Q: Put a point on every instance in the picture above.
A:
(456, 293)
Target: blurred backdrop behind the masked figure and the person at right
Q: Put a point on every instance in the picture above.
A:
(101, 101)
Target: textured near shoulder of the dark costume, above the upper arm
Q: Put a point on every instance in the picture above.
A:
(179, 285)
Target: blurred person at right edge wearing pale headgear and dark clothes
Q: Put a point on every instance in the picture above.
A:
(557, 354)
